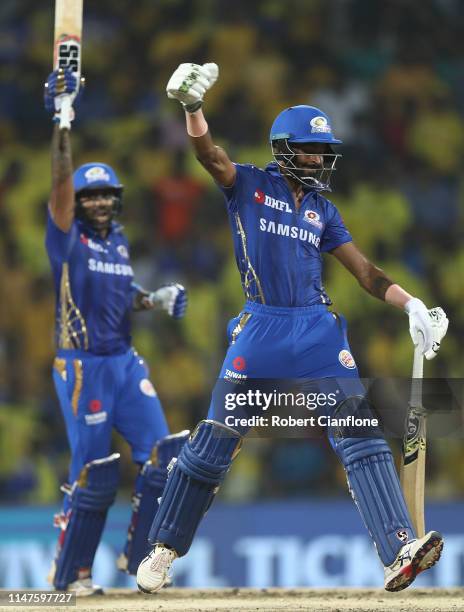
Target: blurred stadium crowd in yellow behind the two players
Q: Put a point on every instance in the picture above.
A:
(390, 75)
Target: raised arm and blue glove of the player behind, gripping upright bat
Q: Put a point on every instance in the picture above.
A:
(59, 83)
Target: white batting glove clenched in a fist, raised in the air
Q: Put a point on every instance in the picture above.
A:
(190, 82)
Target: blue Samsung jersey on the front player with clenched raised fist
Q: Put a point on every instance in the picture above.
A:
(278, 249)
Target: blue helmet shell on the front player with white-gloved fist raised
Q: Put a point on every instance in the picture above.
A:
(302, 123)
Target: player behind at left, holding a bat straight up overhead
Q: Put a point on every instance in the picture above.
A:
(101, 381)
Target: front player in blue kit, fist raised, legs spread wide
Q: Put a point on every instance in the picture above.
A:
(281, 224)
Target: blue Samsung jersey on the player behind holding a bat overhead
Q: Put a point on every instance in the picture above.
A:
(93, 285)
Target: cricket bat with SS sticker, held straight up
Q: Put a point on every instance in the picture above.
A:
(67, 47)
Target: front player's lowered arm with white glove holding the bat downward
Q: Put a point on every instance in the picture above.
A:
(427, 327)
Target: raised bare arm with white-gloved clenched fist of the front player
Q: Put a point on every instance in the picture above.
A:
(188, 84)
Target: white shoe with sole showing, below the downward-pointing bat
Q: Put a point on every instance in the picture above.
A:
(413, 558)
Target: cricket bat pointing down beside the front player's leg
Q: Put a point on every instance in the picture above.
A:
(412, 472)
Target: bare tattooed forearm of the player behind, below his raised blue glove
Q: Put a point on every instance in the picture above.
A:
(62, 196)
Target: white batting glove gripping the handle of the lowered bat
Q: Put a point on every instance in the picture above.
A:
(427, 327)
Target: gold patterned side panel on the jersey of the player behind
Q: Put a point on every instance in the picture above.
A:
(73, 330)
